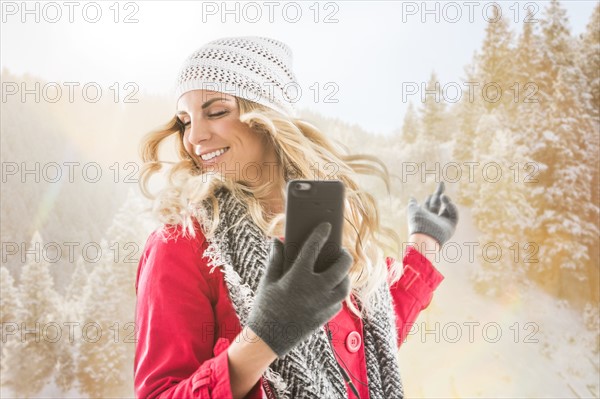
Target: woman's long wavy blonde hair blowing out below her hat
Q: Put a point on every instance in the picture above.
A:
(304, 152)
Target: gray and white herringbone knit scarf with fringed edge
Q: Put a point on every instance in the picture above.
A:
(309, 370)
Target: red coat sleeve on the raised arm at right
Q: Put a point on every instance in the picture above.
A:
(414, 290)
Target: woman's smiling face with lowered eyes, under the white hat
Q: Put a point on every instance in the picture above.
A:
(216, 138)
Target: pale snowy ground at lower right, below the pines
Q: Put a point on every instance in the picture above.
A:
(550, 357)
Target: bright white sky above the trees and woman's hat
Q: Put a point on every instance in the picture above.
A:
(361, 57)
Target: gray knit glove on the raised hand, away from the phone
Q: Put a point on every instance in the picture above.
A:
(428, 220)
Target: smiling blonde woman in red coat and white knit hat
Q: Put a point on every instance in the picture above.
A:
(216, 315)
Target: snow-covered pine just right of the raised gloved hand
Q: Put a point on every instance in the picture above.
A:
(503, 215)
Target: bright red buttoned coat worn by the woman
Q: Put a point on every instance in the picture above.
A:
(185, 320)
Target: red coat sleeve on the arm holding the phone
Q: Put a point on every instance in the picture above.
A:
(176, 355)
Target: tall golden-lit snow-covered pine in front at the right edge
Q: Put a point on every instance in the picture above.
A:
(569, 218)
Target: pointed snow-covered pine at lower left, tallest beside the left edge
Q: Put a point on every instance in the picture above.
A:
(30, 364)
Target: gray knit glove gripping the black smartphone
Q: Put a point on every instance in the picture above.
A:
(289, 306)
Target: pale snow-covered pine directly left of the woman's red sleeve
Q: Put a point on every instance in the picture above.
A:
(104, 367)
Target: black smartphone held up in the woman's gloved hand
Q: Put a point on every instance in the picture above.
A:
(308, 204)
